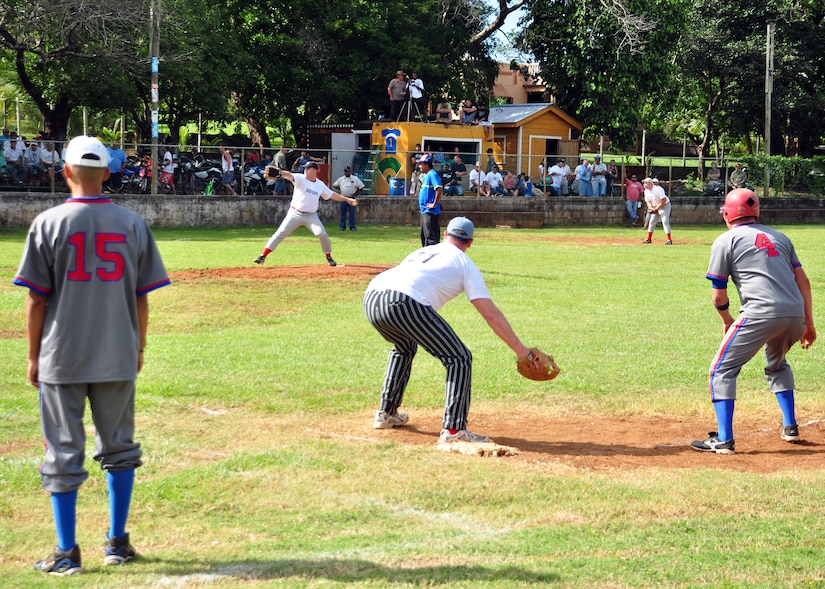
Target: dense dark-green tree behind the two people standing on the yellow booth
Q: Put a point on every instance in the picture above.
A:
(331, 61)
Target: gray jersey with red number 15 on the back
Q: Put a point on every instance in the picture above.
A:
(91, 258)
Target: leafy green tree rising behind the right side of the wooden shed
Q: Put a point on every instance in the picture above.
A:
(603, 59)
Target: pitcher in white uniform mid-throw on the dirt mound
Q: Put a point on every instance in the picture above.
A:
(303, 210)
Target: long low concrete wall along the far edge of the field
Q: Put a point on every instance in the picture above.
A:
(19, 209)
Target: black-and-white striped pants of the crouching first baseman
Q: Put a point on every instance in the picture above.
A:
(406, 324)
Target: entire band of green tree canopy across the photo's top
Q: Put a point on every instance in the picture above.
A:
(692, 68)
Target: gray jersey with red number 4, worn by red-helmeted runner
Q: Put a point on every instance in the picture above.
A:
(760, 261)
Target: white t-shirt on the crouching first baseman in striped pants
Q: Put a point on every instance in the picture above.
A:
(433, 276)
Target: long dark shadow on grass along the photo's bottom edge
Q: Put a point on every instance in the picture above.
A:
(350, 571)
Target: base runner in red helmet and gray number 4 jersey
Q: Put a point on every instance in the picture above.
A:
(776, 313)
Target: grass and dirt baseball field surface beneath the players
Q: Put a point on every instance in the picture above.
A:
(262, 468)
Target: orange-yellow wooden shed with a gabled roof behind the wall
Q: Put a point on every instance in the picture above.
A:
(527, 134)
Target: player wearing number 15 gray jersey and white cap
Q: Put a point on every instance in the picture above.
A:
(89, 265)
